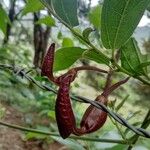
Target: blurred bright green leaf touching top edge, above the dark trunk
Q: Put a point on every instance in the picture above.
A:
(32, 6)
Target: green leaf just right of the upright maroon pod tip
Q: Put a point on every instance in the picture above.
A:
(65, 57)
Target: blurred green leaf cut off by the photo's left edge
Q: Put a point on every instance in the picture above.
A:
(4, 20)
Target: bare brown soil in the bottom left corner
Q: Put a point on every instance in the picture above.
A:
(11, 139)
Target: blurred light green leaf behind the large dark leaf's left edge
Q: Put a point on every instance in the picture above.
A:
(95, 16)
